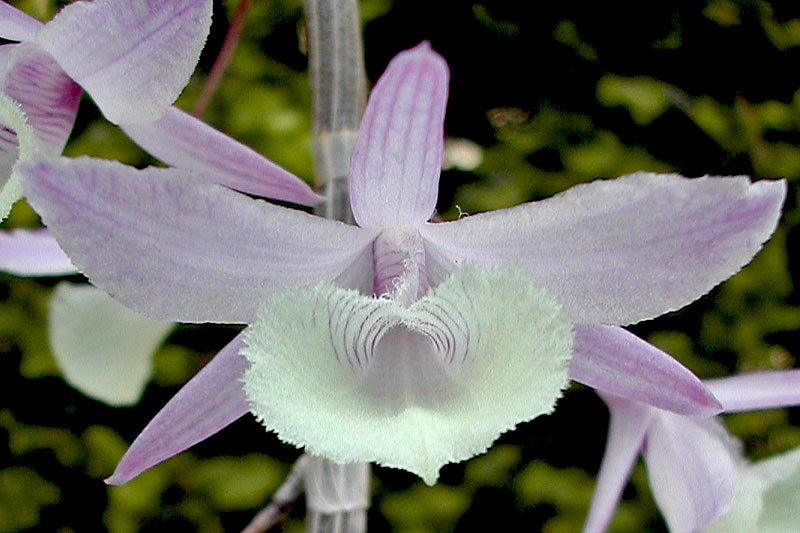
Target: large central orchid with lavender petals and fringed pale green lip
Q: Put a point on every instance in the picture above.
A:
(399, 341)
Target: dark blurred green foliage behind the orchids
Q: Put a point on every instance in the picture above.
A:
(543, 96)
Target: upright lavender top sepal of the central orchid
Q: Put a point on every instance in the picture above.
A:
(394, 172)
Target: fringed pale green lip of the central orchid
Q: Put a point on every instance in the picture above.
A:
(360, 379)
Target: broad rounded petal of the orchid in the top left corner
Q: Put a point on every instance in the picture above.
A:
(133, 57)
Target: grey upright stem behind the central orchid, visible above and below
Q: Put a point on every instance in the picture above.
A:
(337, 495)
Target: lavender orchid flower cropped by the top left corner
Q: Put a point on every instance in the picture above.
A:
(132, 56)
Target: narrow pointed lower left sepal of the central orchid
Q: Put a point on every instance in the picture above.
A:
(210, 401)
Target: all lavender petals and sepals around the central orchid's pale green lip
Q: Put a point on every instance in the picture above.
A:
(611, 252)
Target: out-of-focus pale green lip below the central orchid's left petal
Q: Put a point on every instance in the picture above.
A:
(104, 349)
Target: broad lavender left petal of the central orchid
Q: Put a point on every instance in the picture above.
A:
(174, 247)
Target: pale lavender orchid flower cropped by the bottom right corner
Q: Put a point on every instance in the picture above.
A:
(699, 478)
